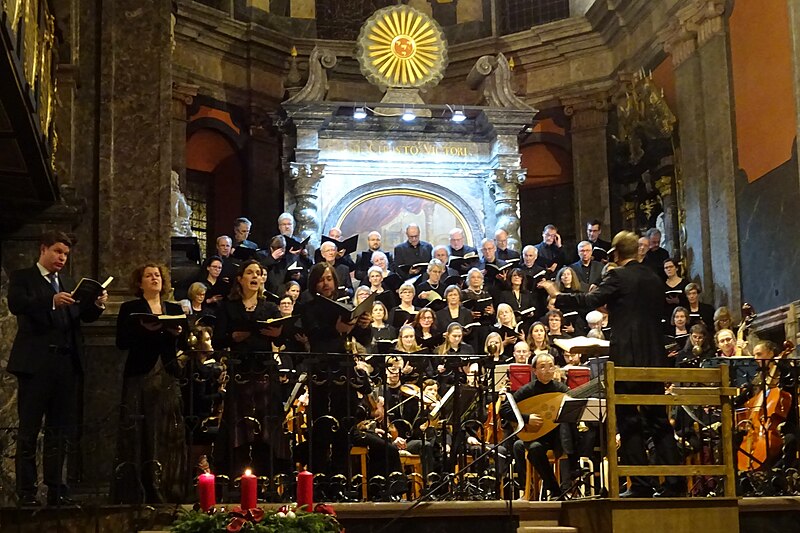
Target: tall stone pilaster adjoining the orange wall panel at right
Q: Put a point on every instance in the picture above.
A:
(696, 40)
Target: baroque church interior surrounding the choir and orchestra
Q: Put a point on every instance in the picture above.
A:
(145, 129)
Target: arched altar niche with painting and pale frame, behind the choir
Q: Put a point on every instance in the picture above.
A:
(388, 206)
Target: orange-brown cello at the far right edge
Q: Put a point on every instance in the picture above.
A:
(765, 410)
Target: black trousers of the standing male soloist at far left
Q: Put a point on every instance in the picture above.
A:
(49, 395)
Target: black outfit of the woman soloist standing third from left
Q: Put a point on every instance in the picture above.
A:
(251, 431)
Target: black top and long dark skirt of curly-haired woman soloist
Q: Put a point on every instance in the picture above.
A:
(151, 459)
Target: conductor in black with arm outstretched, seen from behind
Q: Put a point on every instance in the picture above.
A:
(634, 297)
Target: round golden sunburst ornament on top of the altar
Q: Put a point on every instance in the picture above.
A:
(402, 47)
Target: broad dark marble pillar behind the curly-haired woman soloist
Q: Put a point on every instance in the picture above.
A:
(135, 136)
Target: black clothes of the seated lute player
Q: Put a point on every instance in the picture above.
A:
(536, 450)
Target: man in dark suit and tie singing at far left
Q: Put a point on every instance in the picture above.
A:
(45, 358)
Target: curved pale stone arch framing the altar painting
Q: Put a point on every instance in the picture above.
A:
(461, 209)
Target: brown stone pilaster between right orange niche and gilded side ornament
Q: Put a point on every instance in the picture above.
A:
(589, 118)
